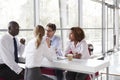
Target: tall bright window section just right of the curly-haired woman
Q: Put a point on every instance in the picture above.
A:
(92, 17)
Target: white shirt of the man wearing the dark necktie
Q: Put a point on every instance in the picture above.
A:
(7, 52)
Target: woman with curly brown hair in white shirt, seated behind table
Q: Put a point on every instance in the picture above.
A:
(79, 48)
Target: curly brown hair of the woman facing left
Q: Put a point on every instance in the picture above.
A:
(78, 33)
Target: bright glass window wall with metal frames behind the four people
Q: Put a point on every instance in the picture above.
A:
(98, 18)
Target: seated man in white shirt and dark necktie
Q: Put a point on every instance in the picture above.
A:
(9, 50)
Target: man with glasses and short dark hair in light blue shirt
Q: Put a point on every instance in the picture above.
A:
(56, 44)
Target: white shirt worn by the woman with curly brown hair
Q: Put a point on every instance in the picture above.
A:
(81, 48)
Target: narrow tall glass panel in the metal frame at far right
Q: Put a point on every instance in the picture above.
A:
(109, 32)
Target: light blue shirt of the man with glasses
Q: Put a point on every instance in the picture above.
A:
(56, 44)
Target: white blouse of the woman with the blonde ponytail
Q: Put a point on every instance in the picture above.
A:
(34, 56)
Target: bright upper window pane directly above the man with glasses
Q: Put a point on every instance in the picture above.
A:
(49, 12)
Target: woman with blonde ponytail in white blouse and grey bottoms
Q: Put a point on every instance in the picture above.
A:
(35, 51)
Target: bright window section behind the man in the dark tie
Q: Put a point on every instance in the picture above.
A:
(20, 11)
